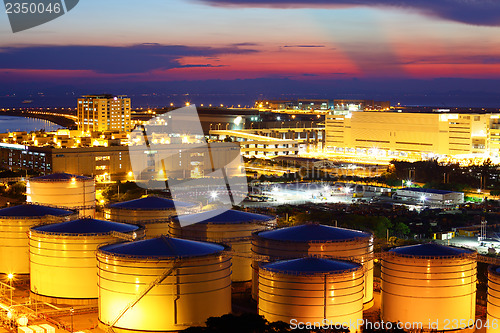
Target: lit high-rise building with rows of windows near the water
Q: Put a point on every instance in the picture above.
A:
(99, 113)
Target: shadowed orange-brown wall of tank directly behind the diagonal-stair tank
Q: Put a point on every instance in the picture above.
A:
(237, 235)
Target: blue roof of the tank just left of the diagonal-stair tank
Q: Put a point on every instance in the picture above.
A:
(86, 226)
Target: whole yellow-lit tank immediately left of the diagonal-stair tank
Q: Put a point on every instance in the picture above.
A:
(62, 258)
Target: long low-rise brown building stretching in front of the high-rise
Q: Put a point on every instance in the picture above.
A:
(115, 161)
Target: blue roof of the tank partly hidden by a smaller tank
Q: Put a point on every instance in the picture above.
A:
(313, 232)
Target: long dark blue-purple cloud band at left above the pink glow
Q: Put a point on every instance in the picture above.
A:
(133, 59)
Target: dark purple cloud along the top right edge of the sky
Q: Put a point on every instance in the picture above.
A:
(476, 12)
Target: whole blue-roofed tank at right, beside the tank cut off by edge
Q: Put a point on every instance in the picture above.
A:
(430, 284)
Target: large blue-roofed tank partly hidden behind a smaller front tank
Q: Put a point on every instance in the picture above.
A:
(316, 240)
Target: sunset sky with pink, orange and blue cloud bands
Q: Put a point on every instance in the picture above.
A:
(191, 40)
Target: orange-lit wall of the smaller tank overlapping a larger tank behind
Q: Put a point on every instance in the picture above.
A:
(338, 298)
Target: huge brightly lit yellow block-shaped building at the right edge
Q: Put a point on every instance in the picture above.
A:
(413, 135)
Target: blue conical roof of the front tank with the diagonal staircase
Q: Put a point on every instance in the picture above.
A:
(163, 247)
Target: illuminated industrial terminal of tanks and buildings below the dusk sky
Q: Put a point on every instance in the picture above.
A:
(113, 226)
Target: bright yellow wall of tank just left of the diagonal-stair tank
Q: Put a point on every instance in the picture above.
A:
(64, 266)
